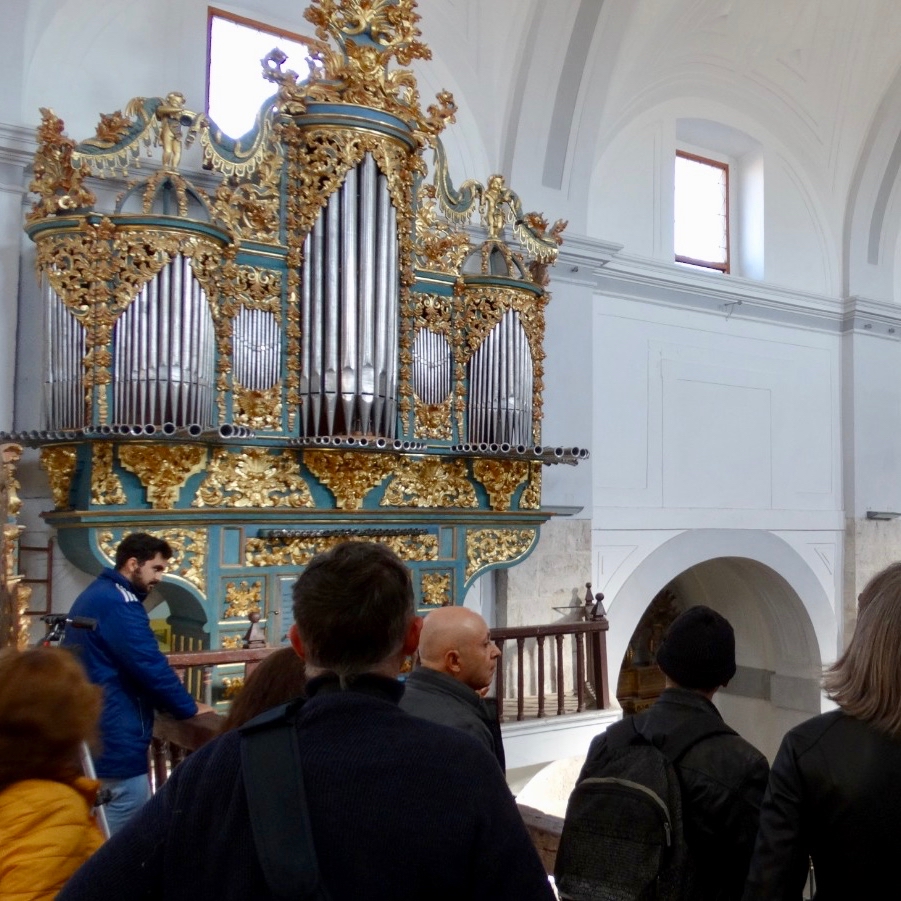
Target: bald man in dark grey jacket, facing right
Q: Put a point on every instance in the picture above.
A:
(458, 660)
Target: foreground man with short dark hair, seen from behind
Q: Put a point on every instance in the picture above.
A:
(398, 807)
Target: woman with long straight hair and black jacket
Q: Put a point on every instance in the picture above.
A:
(834, 795)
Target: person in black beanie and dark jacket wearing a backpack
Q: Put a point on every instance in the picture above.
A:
(722, 776)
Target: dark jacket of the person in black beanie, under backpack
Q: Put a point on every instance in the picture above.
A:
(723, 778)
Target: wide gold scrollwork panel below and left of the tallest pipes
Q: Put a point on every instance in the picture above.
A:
(253, 477)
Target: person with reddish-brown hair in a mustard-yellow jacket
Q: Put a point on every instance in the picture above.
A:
(48, 708)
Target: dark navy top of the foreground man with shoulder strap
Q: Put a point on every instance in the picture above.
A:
(399, 808)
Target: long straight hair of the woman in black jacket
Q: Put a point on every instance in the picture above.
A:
(866, 680)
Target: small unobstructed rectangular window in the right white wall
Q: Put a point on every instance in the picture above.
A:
(701, 233)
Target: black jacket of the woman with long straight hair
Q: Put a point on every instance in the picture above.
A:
(834, 796)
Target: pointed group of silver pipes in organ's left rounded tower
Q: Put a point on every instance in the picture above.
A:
(163, 352)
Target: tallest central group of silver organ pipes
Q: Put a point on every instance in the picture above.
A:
(349, 307)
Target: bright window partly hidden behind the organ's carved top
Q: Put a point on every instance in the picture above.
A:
(236, 88)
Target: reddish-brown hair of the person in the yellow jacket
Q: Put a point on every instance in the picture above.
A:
(47, 709)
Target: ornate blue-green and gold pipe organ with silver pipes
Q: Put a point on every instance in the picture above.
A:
(268, 346)
